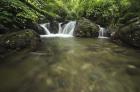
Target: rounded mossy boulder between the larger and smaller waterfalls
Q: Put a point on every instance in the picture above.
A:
(85, 28)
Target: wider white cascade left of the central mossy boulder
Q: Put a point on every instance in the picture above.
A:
(66, 31)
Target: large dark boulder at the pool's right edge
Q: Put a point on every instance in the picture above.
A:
(129, 33)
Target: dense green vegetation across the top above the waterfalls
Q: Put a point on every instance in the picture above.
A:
(107, 11)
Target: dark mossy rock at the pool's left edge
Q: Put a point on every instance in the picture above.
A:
(21, 39)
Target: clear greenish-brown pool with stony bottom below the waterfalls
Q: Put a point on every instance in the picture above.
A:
(72, 65)
